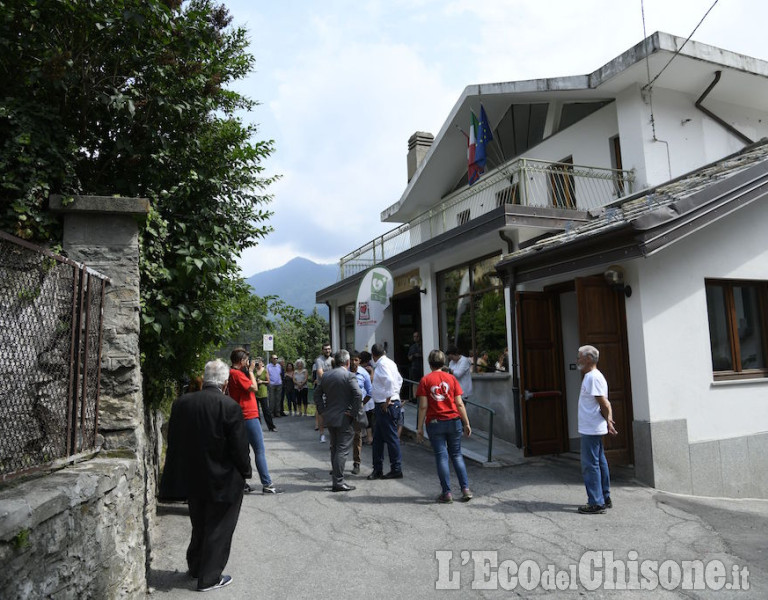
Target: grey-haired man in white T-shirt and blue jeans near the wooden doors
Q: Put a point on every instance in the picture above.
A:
(595, 421)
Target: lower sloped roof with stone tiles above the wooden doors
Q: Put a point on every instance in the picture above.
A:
(650, 219)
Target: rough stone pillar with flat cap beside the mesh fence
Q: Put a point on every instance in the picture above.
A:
(102, 232)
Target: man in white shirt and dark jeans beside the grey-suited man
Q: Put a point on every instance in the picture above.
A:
(385, 392)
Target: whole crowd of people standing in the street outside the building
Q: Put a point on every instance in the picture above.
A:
(208, 463)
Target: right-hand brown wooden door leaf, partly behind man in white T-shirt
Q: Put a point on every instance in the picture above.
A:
(603, 324)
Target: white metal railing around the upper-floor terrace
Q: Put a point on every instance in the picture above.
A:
(524, 181)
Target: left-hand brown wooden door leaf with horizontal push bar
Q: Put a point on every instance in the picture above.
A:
(542, 399)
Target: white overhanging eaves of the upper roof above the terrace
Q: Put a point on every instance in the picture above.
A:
(691, 71)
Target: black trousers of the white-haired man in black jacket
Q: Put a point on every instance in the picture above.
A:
(213, 524)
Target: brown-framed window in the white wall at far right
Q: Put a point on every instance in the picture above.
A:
(737, 328)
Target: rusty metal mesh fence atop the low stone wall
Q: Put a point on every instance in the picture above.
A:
(50, 356)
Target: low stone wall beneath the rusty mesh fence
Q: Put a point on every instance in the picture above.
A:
(77, 533)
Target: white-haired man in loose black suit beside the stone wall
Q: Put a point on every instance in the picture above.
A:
(207, 464)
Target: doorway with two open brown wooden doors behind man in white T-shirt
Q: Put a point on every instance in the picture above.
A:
(584, 311)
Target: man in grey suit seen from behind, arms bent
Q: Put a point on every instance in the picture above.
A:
(338, 400)
